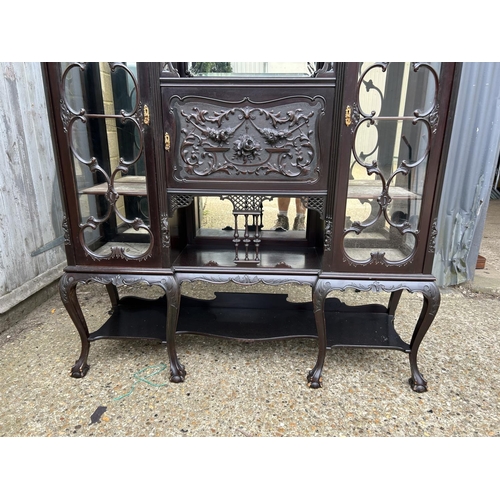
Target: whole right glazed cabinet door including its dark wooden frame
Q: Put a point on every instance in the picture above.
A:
(392, 128)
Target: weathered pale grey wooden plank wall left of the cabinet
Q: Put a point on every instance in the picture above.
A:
(31, 250)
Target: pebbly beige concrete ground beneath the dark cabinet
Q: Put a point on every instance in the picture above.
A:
(235, 389)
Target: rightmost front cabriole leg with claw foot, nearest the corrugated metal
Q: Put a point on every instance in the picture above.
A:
(432, 299)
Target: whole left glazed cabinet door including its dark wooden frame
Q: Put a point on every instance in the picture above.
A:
(102, 116)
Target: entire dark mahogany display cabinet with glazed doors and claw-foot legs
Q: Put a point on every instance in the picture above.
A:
(145, 148)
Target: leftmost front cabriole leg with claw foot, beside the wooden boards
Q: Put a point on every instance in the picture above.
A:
(67, 290)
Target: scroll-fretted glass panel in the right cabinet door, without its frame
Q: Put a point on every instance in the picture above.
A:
(394, 117)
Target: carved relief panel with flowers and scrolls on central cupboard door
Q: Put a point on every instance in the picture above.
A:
(222, 139)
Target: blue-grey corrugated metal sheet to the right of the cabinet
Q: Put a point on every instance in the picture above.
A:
(470, 169)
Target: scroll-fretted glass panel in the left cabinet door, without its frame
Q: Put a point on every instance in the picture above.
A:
(102, 116)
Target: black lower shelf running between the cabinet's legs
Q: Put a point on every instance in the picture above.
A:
(254, 317)
